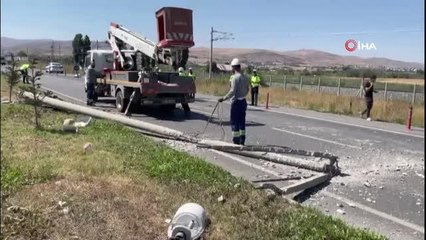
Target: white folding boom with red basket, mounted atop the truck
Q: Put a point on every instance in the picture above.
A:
(174, 28)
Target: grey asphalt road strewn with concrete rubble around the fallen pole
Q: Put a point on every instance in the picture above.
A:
(383, 185)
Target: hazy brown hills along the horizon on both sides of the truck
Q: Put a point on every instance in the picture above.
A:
(200, 55)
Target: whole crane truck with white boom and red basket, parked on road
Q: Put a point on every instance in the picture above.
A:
(131, 67)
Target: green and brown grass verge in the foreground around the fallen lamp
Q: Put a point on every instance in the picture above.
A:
(125, 185)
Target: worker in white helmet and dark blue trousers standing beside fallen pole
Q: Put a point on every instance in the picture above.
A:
(240, 86)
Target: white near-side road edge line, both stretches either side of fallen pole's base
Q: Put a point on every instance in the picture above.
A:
(332, 195)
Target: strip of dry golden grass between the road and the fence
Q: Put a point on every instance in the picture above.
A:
(394, 111)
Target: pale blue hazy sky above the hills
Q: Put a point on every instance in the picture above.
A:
(395, 27)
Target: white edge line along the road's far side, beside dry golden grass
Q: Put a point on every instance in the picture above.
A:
(332, 121)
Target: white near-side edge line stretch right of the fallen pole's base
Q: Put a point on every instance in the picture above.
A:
(376, 212)
